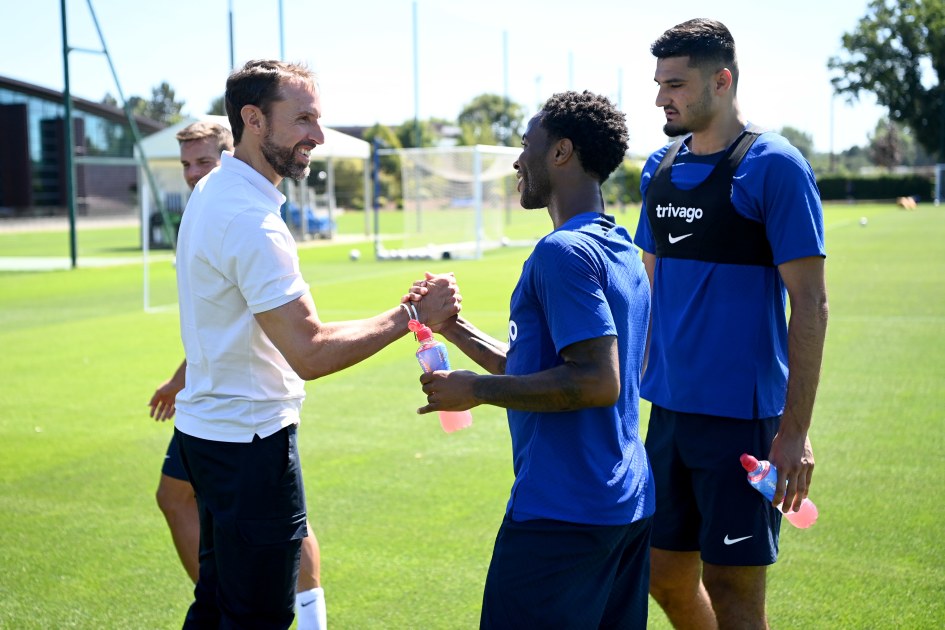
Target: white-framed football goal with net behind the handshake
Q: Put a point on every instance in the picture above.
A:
(457, 202)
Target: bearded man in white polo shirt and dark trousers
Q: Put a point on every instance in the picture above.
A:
(251, 337)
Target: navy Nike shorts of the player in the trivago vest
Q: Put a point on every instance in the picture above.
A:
(703, 500)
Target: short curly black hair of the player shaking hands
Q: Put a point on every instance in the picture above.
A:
(596, 128)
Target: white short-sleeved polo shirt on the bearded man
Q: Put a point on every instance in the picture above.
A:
(235, 257)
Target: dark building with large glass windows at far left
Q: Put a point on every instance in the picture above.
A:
(32, 155)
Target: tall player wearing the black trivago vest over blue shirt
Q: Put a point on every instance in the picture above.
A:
(731, 228)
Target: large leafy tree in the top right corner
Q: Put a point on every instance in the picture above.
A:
(893, 53)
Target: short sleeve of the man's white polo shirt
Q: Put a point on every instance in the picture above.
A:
(265, 263)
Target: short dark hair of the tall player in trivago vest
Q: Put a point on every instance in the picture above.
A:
(708, 44)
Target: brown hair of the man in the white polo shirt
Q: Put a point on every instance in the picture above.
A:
(259, 83)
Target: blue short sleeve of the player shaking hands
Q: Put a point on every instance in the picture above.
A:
(568, 282)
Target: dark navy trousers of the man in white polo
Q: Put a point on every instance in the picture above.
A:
(252, 520)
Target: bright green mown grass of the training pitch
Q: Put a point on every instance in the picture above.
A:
(406, 514)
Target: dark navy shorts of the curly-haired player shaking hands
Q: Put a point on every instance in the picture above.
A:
(550, 574)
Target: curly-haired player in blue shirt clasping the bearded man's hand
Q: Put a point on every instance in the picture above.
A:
(573, 549)
